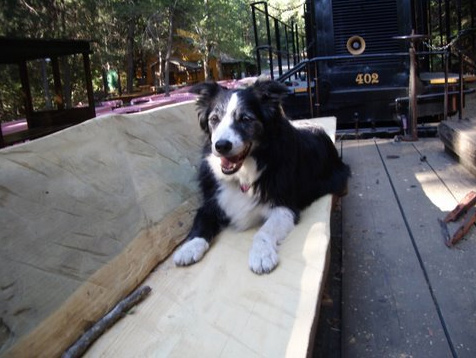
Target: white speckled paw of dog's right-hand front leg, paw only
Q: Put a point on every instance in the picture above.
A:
(263, 256)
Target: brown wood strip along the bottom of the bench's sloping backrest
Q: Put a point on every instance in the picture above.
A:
(114, 281)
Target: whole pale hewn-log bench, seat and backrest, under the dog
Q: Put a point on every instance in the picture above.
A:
(87, 213)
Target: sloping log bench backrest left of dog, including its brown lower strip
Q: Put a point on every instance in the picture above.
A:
(86, 213)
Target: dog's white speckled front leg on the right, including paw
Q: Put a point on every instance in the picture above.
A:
(264, 252)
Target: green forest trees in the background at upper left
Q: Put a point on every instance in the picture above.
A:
(124, 32)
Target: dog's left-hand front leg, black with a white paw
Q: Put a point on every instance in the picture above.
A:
(206, 225)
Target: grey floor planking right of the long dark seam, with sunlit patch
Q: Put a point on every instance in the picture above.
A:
(427, 190)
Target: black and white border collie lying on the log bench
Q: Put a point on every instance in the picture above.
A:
(257, 169)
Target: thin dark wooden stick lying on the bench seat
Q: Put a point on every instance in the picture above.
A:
(88, 338)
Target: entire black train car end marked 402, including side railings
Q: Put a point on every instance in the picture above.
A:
(359, 67)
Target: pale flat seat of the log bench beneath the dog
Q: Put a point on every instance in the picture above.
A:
(219, 308)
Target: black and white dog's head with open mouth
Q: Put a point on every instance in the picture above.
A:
(236, 119)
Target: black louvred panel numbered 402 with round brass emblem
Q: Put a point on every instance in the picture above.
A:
(367, 67)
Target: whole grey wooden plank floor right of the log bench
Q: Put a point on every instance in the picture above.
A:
(405, 294)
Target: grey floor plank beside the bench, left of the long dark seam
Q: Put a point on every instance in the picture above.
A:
(387, 309)
